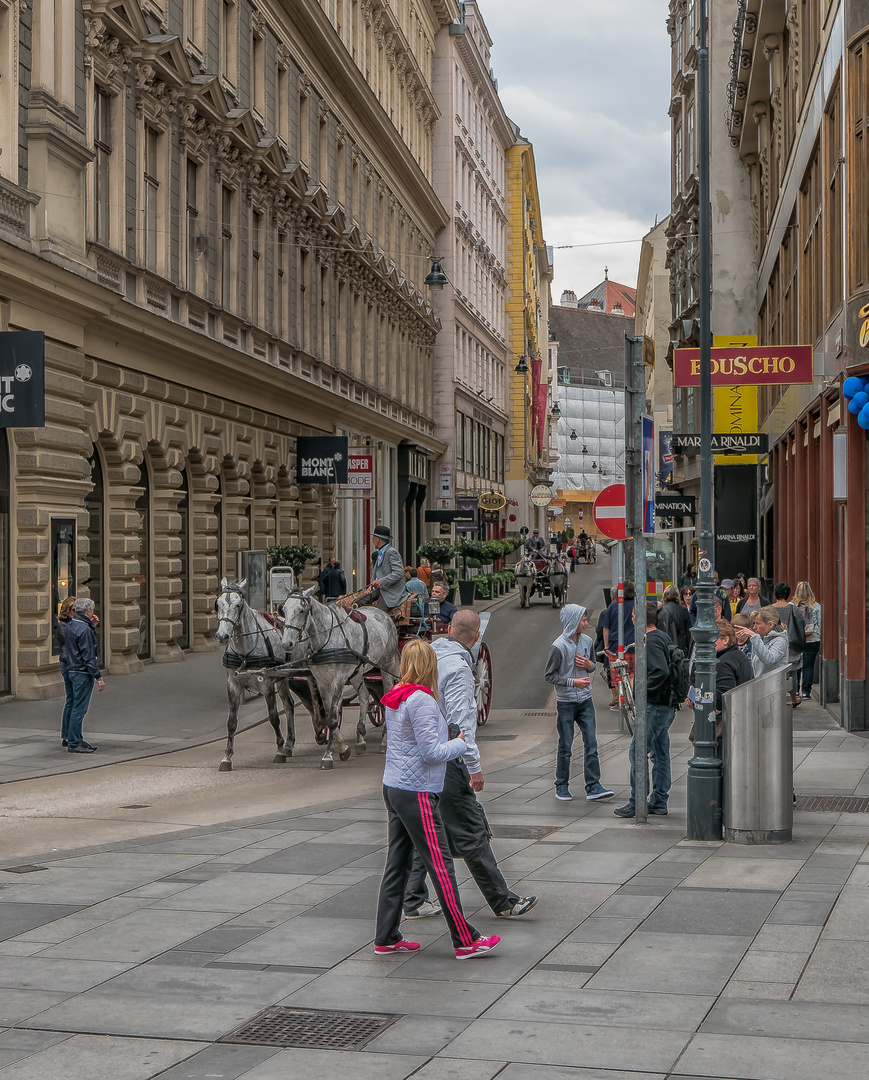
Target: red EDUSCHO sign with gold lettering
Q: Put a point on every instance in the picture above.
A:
(753, 367)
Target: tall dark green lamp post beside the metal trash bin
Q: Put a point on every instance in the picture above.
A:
(704, 769)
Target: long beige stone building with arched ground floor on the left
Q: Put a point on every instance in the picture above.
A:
(221, 214)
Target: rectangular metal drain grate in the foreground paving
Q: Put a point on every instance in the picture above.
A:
(311, 1029)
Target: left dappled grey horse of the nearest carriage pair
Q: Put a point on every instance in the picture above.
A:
(253, 644)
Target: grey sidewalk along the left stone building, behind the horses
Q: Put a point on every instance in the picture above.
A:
(165, 708)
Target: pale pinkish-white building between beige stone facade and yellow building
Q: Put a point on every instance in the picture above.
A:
(471, 357)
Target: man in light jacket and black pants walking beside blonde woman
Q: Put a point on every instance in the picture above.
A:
(465, 820)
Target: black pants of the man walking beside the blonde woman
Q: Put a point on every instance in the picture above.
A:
(468, 833)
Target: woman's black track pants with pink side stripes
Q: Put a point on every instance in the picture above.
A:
(415, 822)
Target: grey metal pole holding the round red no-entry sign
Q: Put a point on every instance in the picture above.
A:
(635, 408)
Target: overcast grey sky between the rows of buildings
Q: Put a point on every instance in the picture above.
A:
(589, 85)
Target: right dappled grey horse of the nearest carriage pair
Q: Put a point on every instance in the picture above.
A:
(338, 651)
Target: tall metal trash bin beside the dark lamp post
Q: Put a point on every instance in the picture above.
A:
(759, 762)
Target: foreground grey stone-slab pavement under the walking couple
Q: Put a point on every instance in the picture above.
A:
(647, 957)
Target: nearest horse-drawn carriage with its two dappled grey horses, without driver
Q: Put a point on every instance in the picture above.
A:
(332, 657)
